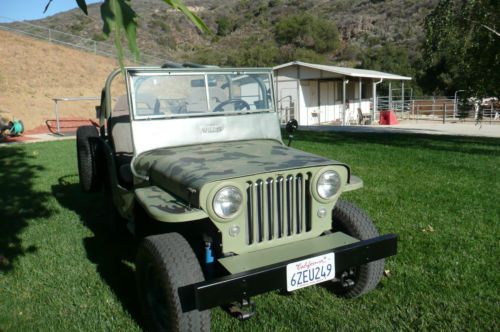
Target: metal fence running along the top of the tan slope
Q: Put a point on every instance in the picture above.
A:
(74, 41)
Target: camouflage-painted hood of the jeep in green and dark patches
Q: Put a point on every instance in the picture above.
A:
(190, 167)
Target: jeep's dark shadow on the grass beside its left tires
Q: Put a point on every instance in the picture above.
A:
(112, 253)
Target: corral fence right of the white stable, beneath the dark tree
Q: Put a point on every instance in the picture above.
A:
(440, 109)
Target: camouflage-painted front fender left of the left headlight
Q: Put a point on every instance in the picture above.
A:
(162, 206)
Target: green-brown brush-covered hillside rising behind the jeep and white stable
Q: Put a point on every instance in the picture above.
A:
(241, 24)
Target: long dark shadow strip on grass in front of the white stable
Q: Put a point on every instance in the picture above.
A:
(463, 144)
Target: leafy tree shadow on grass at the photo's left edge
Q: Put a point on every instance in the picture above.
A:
(19, 203)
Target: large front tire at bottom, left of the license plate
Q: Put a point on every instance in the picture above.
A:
(165, 263)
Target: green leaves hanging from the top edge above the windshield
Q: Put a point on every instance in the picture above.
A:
(119, 17)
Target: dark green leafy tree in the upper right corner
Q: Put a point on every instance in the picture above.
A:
(462, 48)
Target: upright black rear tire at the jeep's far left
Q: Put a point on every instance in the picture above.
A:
(89, 158)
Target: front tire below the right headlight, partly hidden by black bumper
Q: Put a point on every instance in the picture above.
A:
(353, 221)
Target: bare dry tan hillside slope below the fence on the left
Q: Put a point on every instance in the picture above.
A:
(32, 72)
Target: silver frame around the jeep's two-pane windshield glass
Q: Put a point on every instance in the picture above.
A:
(132, 73)
